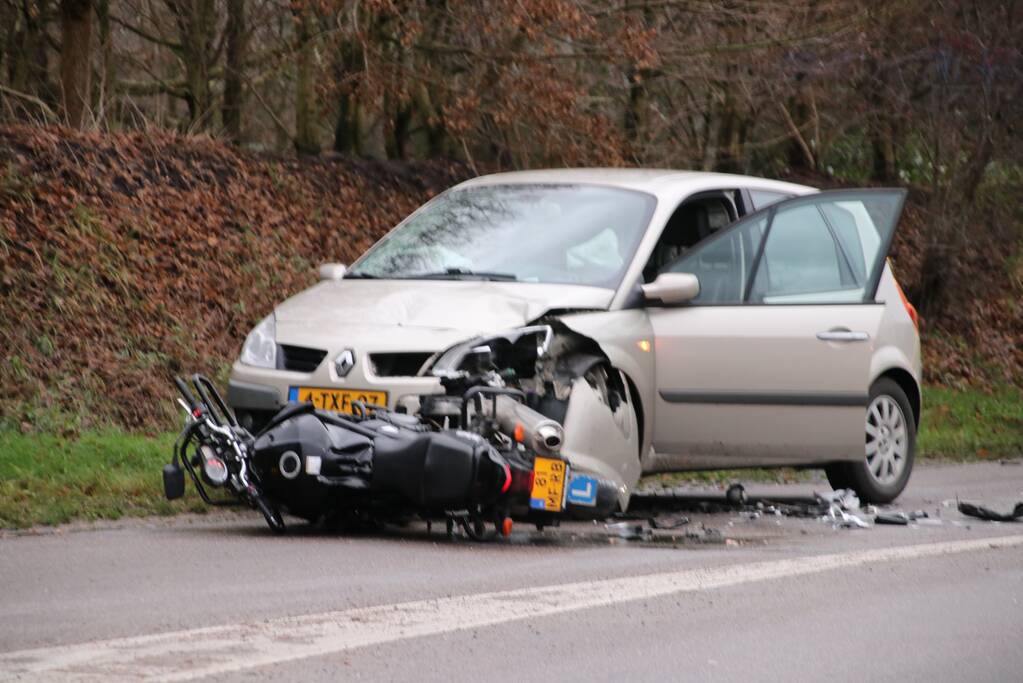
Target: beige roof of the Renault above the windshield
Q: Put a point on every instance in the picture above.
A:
(655, 181)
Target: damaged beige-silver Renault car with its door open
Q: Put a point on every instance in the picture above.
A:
(698, 322)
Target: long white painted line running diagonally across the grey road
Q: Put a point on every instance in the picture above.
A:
(196, 654)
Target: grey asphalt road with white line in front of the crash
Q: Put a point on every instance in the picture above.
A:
(781, 599)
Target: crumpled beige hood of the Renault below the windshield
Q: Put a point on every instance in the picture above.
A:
(427, 309)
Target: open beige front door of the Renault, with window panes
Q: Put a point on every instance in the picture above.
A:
(771, 362)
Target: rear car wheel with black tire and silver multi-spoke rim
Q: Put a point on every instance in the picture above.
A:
(891, 442)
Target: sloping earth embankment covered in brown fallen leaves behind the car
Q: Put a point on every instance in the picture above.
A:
(127, 258)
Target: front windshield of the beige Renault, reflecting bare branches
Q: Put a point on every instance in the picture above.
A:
(572, 235)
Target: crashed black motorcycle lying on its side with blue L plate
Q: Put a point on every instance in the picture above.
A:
(478, 458)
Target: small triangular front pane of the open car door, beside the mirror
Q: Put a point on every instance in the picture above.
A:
(724, 264)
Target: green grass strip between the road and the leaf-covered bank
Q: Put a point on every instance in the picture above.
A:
(49, 480)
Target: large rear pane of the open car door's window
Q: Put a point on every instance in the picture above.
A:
(825, 251)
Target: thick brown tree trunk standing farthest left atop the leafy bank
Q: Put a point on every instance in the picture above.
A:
(76, 53)
